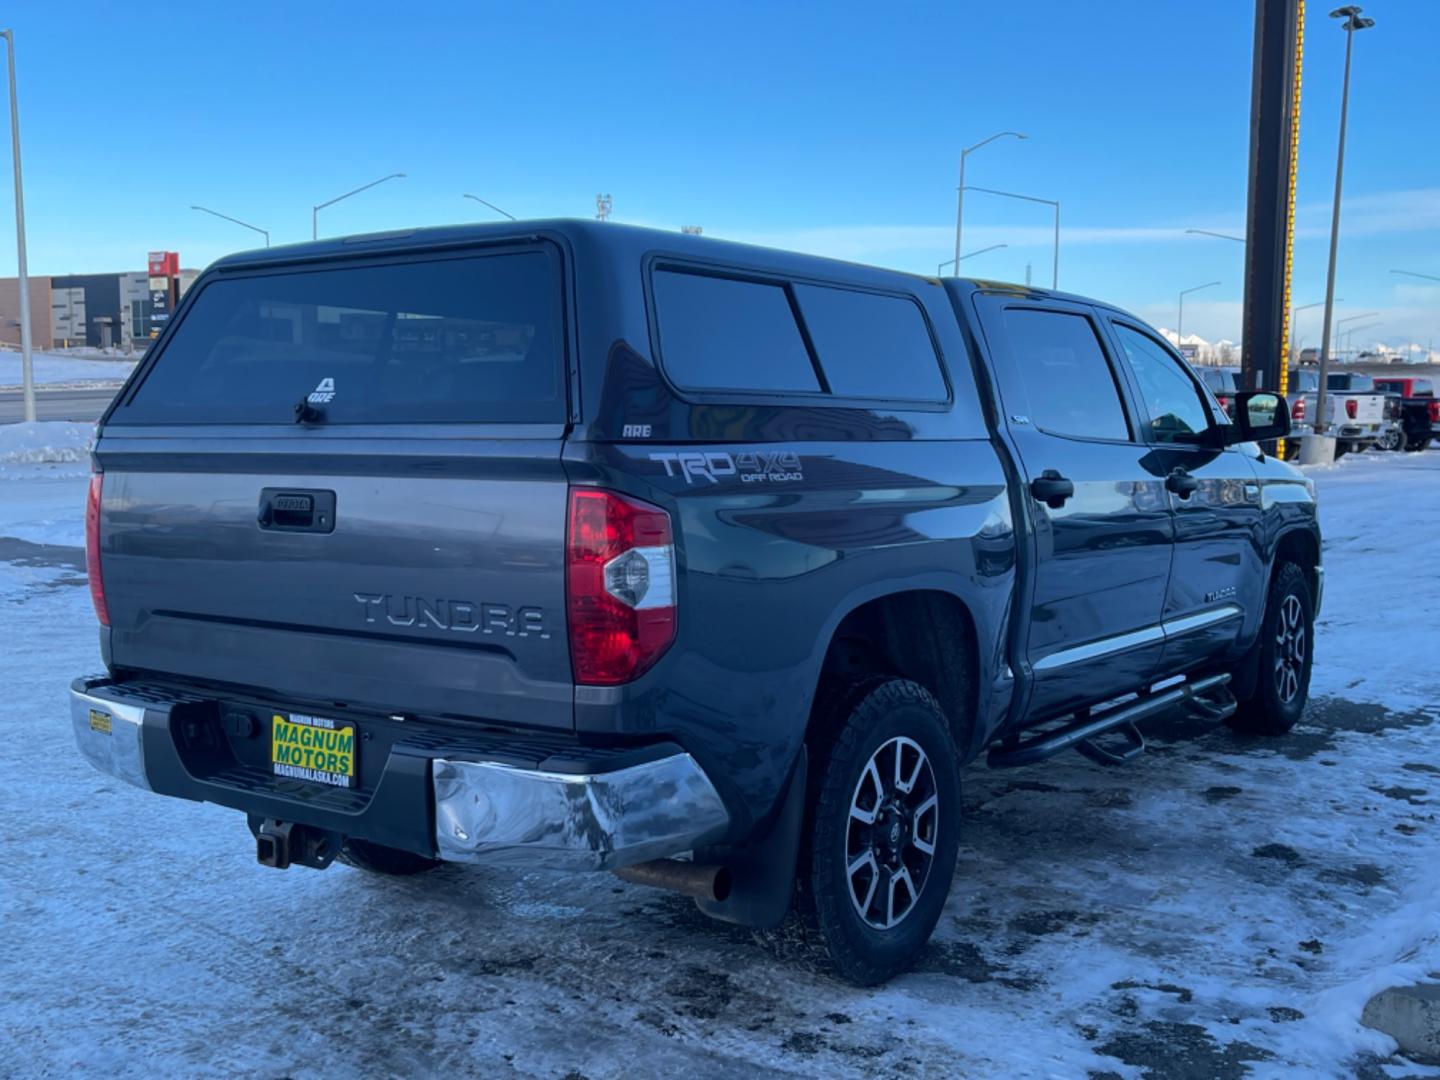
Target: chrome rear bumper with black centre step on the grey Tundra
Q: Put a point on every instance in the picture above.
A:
(659, 804)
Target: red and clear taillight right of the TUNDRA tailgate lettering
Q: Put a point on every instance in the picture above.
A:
(620, 584)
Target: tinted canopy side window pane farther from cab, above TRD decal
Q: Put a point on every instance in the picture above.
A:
(729, 335)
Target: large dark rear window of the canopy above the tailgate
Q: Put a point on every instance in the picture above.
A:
(446, 341)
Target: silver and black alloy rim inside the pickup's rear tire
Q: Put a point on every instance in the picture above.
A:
(891, 842)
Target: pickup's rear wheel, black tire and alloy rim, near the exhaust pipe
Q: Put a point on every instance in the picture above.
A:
(872, 724)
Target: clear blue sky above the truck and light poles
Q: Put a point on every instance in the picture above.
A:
(827, 127)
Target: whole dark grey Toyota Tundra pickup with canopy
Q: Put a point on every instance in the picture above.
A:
(581, 546)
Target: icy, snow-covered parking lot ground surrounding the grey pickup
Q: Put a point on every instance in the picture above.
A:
(1222, 906)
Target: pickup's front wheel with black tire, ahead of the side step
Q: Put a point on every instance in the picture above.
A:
(1285, 657)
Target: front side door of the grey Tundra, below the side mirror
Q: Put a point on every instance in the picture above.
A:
(1218, 572)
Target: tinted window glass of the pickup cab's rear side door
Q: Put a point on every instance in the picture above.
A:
(1068, 379)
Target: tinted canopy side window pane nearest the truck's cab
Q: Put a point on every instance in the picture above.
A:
(872, 345)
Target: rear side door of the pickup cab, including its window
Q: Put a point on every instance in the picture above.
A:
(1102, 523)
